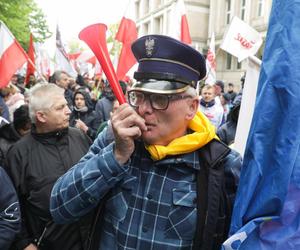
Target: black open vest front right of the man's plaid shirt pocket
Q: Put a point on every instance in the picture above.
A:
(210, 180)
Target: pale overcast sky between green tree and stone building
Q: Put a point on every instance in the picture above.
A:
(73, 15)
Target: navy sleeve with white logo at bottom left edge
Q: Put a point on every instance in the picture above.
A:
(10, 217)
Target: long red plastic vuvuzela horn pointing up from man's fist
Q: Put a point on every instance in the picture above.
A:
(95, 37)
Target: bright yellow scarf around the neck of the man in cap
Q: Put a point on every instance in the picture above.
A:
(204, 133)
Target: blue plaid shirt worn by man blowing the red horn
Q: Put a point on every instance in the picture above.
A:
(152, 204)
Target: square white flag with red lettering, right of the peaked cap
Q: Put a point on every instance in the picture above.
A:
(241, 40)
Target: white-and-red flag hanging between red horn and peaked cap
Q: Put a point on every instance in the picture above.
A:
(127, 34)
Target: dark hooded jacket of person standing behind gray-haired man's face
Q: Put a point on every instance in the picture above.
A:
(89, 116)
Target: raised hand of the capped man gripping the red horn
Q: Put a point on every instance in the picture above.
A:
(127, 125)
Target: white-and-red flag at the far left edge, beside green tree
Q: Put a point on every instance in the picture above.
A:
(12, 55)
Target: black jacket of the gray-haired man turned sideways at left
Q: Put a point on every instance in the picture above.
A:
(34, 163)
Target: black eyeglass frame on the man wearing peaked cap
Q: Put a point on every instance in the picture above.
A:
(170, 97)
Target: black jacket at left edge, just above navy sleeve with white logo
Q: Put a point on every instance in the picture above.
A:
(8, 137)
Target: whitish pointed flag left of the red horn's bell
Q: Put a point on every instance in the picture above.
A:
(61, 57)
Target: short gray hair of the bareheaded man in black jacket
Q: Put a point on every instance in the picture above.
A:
(41, 98)
